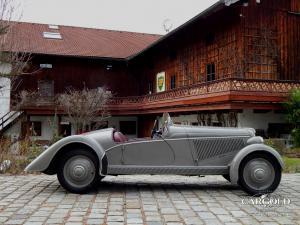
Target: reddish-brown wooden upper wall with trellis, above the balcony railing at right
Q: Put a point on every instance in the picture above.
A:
(249, 41)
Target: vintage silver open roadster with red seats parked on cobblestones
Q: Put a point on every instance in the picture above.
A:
(80, 161)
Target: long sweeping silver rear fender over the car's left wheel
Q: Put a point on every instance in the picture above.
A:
(42, 162)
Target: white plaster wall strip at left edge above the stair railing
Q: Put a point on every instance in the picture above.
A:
(4, 96)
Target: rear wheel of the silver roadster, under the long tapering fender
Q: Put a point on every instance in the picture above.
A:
(82, 162)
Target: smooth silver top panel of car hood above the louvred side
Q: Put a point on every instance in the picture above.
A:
(180, 131)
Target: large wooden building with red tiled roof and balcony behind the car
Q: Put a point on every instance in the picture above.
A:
(231, 65)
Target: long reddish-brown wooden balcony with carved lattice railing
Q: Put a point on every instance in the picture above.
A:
(216, 95)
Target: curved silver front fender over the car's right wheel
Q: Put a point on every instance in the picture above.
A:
(235, 163)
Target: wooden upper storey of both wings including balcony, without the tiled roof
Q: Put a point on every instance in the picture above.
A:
(245, 56)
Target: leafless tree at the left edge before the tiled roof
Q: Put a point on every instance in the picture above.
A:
(13, 61)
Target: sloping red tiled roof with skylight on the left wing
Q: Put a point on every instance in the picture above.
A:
(79, 41)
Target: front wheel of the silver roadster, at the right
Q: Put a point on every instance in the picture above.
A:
(259, 173)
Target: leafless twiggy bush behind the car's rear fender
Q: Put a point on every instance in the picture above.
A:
(84, 106)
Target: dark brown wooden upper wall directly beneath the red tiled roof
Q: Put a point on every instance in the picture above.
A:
(78, 72)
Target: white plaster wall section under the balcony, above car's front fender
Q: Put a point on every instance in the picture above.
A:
(259, 120)
